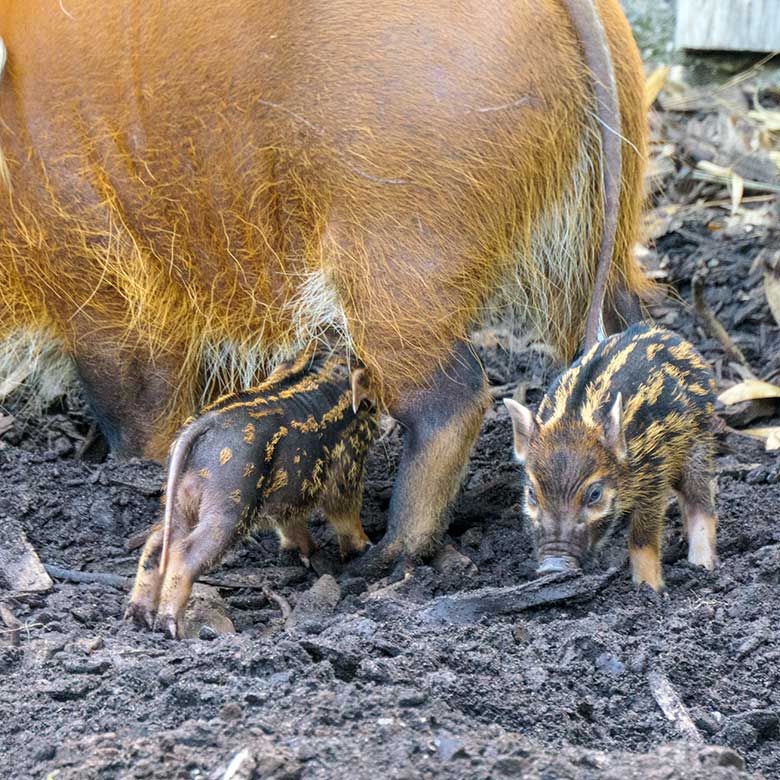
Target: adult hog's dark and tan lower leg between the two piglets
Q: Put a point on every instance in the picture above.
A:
(441, 422)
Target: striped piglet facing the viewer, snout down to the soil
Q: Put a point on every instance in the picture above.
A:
(620, 430)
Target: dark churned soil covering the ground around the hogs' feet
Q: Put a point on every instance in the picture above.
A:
(376, 687)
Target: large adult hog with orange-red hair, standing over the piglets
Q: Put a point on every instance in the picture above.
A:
(191, 193)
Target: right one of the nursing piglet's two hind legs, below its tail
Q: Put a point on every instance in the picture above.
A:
(189, 557)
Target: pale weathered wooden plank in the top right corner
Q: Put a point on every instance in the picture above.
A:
(735, 25)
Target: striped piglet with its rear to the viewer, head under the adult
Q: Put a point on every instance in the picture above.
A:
(262, 459)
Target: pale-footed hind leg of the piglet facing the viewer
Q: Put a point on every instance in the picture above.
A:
(696, 494)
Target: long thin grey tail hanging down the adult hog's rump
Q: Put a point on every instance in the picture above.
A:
(592, 37)
